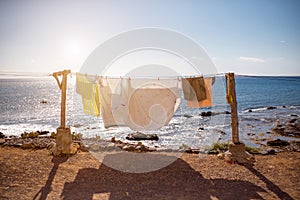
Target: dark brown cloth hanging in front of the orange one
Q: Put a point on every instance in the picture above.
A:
(194, 88)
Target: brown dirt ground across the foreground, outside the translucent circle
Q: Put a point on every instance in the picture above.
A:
(35, 174)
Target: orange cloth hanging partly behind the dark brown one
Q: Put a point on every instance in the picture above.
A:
(206, 102)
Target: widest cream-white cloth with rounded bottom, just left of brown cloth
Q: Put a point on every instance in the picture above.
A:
(153, 105)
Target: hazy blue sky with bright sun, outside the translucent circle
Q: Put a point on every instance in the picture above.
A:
(251, 37)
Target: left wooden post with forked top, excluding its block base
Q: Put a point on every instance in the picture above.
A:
(63, 87)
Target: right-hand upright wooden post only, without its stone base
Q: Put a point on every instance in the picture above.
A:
(231, 99)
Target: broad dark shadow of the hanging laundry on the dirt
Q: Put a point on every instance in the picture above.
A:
(175, 181)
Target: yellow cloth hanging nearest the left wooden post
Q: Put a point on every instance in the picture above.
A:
(89, 93)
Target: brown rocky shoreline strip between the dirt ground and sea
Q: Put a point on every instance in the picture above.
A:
(46, 140)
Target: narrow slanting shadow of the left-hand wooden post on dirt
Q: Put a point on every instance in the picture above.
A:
(44, 191)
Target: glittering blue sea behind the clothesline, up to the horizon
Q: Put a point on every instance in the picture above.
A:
(263, 102)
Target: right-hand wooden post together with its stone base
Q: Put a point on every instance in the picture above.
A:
(237, 151)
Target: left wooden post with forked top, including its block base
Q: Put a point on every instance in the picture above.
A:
(63, 138)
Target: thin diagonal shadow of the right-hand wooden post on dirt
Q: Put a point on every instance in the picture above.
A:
(271, 186)
